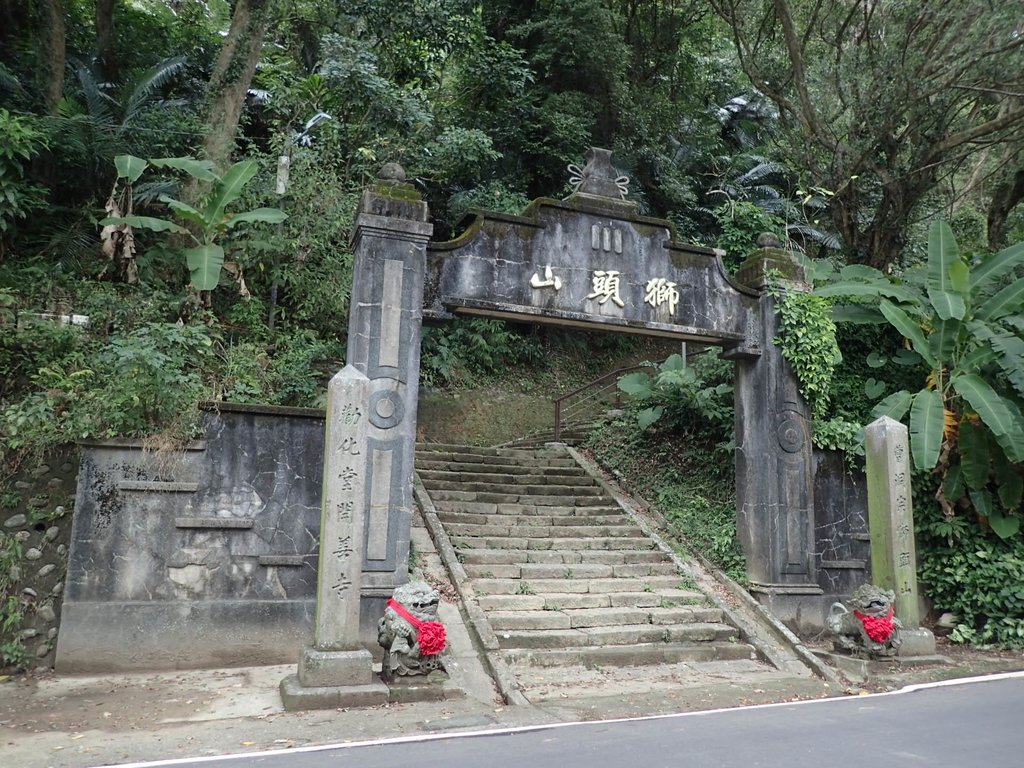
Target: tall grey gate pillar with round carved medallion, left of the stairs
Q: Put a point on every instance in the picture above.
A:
(391, 238)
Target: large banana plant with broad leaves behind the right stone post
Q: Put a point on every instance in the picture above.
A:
(966, 322)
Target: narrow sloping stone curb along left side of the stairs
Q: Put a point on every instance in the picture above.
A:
(477, 623)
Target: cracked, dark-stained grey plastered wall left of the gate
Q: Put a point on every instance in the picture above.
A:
(198, 559)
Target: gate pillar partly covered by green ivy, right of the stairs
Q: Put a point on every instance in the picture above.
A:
(775, 465)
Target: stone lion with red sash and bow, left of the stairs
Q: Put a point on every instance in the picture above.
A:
(410, 633)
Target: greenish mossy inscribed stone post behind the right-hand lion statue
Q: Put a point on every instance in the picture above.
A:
(890, 517)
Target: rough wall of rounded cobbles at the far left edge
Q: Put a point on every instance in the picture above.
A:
(35, 515)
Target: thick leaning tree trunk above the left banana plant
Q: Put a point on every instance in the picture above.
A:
(232, 77)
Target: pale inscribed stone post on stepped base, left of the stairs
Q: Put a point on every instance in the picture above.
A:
(337, 670)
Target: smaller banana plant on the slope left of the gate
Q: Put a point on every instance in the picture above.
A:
(209, 222)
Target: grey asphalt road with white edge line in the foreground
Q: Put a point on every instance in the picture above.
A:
(966, 726)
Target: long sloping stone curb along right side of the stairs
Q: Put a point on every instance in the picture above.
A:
(774, 641)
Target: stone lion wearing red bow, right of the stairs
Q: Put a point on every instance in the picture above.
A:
(870, 629)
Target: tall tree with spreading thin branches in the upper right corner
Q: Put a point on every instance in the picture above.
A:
(885, 101)
